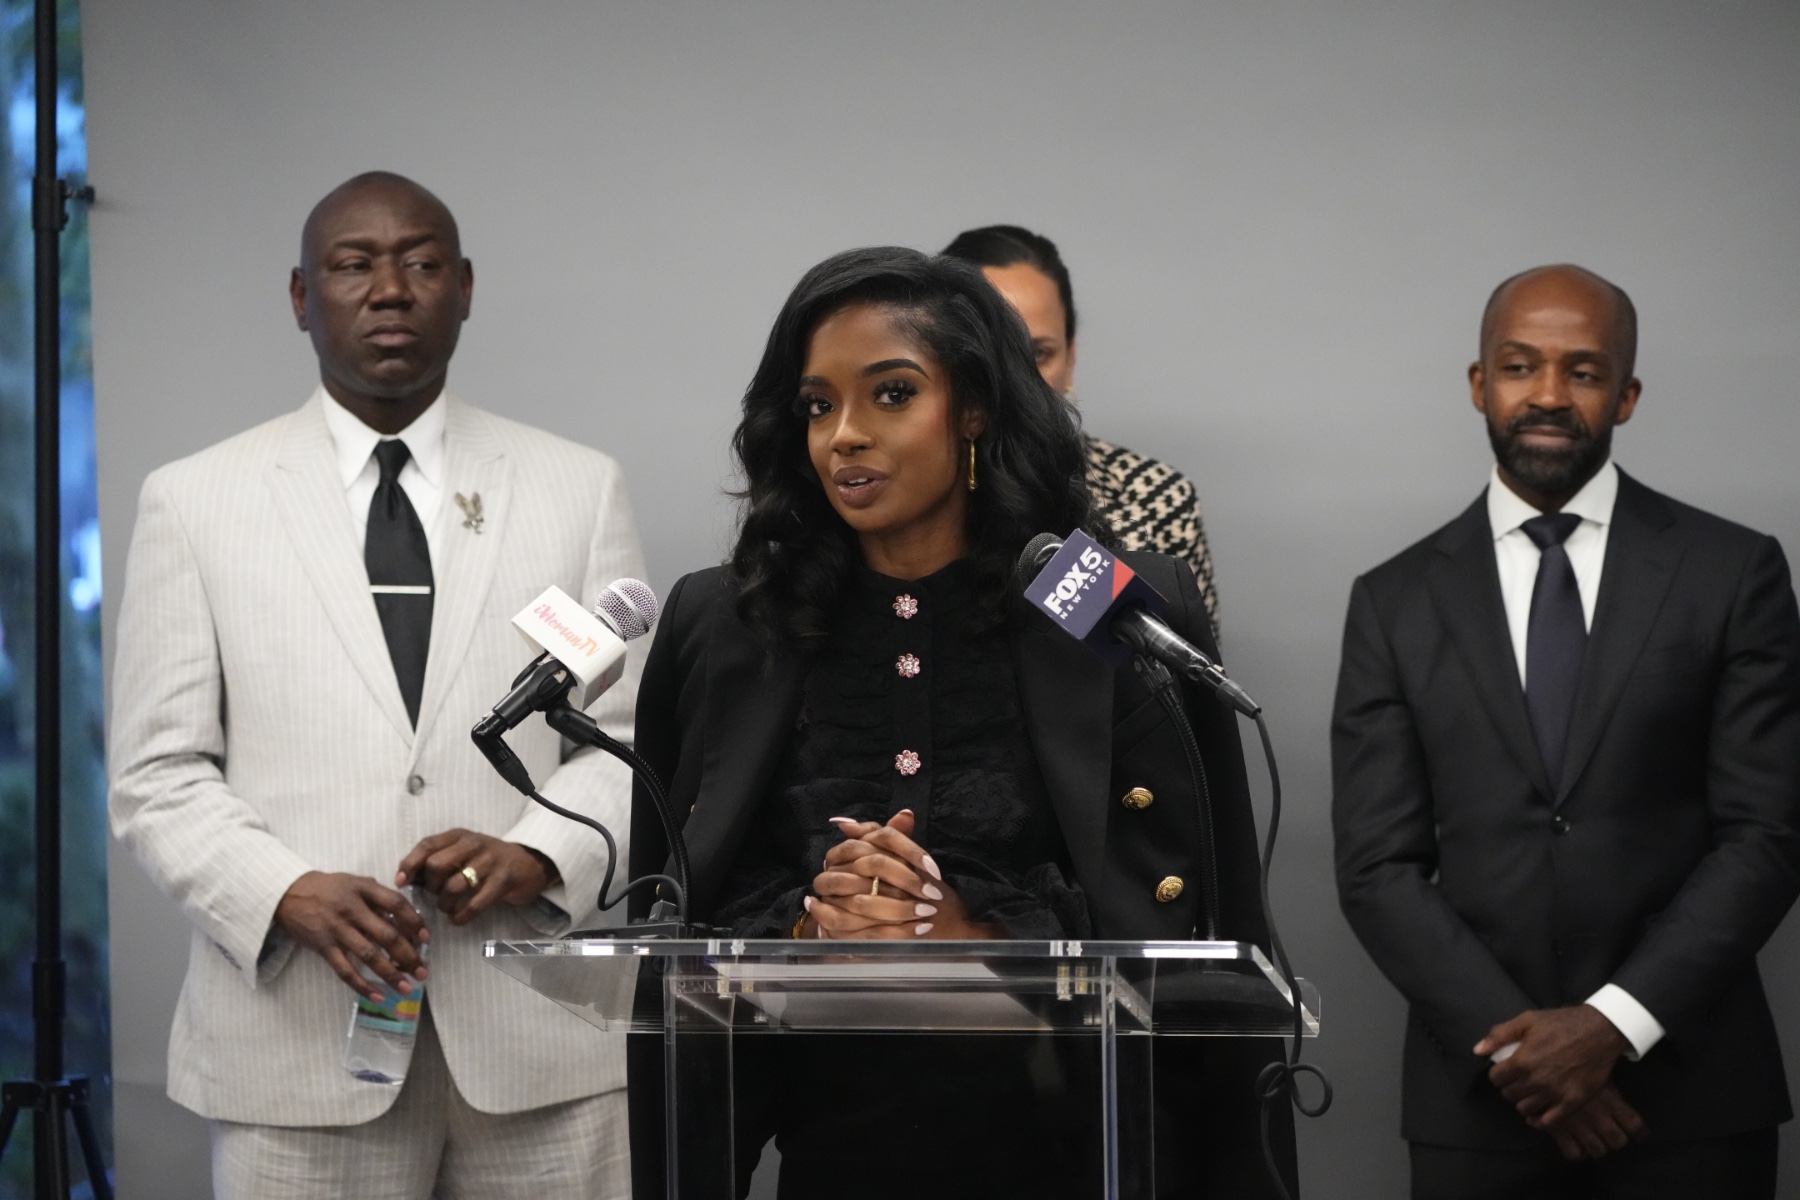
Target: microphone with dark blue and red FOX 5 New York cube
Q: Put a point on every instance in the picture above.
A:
(1093, 596)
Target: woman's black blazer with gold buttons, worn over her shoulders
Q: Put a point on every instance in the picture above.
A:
(715, 712)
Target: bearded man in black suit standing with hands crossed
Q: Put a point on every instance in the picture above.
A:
(1567, 778)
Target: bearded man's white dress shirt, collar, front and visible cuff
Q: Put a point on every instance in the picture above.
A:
(1516, 557)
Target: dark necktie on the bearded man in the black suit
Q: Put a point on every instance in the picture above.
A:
(1556, 641)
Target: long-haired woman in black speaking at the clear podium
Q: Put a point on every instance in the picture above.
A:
(877, 737)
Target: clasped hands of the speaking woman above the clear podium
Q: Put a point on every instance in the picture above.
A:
(883, 884)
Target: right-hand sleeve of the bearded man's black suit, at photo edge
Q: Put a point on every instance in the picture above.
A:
(1740, 891)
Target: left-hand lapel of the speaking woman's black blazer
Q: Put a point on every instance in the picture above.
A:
(751, 699)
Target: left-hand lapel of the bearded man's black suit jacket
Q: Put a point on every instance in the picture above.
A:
(1464, 586)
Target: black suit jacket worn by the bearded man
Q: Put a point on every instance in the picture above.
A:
(1664, 861)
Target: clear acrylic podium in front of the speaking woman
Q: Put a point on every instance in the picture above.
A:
(705, 994)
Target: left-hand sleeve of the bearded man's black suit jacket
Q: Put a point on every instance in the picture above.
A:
(1387, 852)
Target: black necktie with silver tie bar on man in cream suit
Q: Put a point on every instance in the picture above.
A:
(400, 575)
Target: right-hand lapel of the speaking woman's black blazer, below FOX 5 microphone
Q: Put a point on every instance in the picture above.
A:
(1066, 695)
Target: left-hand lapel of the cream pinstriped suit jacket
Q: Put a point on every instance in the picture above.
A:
(310, 501)
